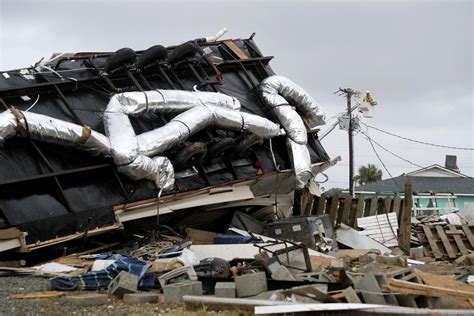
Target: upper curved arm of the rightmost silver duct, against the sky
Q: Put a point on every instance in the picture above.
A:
(275, 87)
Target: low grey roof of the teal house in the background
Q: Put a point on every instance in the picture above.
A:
(422, 184)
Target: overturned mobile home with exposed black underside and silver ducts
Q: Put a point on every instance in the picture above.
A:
(94, 142)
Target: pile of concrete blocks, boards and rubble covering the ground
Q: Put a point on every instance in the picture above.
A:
(299, 263)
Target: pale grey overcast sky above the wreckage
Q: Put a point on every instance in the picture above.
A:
(415, 56)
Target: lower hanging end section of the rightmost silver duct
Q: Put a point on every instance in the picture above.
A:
(301, 162)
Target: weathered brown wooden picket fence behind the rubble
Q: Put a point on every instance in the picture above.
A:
(345, 209)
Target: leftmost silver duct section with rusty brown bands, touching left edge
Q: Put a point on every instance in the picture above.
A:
(47, 129)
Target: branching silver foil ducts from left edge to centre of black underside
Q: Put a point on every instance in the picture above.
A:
(131, 153)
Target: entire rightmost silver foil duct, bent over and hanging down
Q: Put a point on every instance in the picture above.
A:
(281, 94)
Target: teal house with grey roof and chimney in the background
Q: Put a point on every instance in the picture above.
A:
(436, 188)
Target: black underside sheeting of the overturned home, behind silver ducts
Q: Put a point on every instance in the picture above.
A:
(91, 184)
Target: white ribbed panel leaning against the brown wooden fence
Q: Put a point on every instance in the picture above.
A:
(382, 228)
